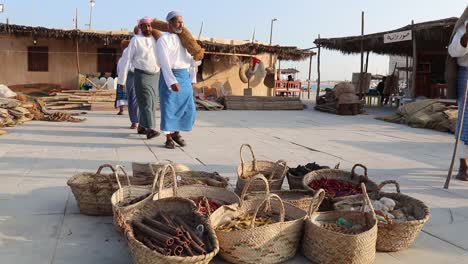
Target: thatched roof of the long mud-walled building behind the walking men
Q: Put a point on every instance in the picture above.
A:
(114, 37)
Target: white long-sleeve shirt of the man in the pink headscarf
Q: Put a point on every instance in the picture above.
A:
(141, 55)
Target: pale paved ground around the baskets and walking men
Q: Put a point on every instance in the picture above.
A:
(40, 222)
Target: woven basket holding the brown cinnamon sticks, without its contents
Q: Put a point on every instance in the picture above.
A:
(181, 207)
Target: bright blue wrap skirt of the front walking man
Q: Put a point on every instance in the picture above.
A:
(177, 108)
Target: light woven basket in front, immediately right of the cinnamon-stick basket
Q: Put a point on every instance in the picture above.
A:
(272, 243)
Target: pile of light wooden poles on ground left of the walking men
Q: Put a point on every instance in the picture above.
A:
(80, 100)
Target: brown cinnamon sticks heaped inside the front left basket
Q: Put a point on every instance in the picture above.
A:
(170, 236)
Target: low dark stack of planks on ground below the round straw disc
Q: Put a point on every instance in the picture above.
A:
(262, 103)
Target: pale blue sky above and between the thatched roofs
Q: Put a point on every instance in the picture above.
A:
(299, 21)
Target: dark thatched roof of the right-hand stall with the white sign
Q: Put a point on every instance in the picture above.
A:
(430, 36)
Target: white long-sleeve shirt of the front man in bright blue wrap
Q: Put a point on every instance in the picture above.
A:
(172, 55)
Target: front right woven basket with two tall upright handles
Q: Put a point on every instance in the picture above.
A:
(322, 245)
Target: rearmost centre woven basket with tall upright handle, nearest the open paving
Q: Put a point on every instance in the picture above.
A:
(273, 171)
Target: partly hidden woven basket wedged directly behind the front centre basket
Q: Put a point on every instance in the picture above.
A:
(298, 198)
